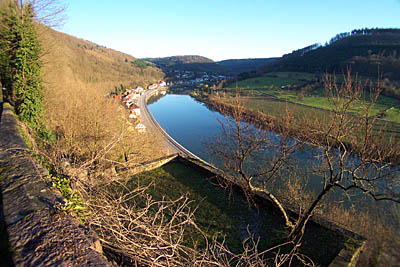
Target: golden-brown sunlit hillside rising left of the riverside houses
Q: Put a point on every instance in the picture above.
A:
(78, 76)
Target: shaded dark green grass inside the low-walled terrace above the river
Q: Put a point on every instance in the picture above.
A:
(221, 215)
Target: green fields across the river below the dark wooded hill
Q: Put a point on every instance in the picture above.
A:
(306, 89)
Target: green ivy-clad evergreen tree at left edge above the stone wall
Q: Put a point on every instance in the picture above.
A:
(21, 64)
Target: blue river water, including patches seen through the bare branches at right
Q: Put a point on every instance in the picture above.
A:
(195, 126)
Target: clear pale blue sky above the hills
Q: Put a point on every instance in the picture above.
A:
(221, 29)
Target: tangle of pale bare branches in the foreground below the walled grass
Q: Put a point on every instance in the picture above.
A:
(144, 231)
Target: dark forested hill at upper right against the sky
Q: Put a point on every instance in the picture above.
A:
(365, 51)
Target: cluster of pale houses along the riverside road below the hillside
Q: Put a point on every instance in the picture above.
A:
(130, 98)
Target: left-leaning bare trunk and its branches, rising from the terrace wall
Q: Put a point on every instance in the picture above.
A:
(240, 149)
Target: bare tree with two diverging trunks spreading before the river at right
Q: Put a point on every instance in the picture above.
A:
(350, 153)
